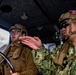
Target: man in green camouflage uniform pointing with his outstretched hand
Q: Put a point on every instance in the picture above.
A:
(62, 60)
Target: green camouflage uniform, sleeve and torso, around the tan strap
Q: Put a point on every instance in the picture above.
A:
(44, 60)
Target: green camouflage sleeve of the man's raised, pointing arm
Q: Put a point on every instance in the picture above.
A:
(42, 60)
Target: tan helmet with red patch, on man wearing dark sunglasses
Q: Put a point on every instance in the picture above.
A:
(71, 14)
